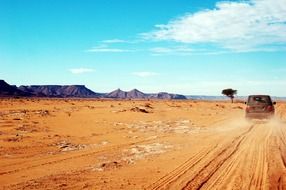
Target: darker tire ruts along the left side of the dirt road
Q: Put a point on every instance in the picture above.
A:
(222, 154)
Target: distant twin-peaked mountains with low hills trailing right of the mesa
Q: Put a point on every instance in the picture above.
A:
(136, 94)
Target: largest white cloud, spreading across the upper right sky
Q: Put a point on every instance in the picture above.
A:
(239, 26)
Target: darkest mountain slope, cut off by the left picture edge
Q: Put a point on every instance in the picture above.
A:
(10, 90)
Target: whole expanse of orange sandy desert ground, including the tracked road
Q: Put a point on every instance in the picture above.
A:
(95, 144)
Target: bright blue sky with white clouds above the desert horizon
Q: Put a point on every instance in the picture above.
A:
(186, 46)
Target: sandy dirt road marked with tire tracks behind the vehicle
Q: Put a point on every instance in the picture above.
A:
(255, 159)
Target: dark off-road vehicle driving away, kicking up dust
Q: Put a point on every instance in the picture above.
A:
(259, 107)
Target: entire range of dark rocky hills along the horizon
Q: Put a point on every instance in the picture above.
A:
(77, 91)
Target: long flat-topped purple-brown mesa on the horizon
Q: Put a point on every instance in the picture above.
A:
(64, 91)
